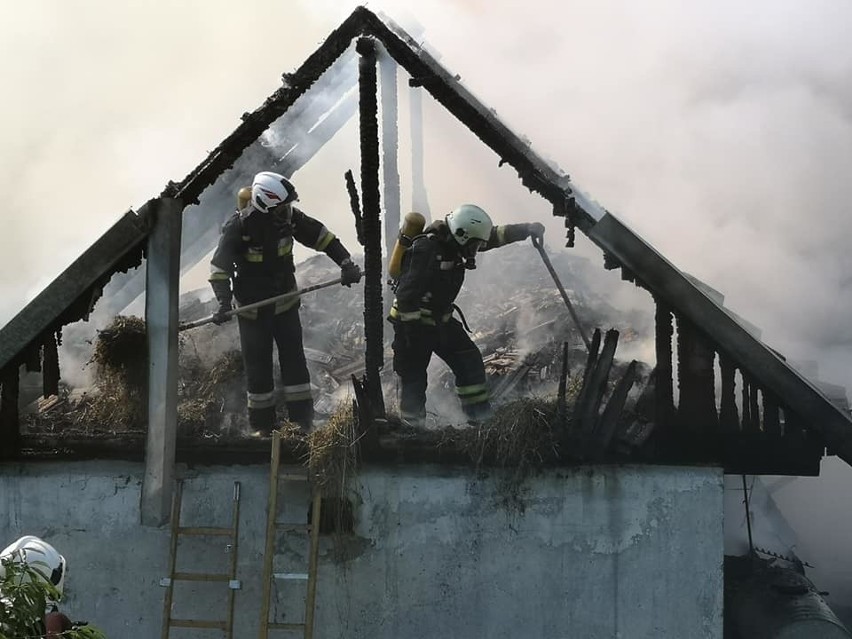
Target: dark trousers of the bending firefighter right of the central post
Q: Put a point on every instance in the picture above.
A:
(413, 346)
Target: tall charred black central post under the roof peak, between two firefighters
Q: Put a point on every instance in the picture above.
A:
(371, 212)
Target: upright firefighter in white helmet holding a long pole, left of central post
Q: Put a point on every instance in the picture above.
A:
(255, 253)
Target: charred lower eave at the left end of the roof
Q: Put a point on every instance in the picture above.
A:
(71, 296)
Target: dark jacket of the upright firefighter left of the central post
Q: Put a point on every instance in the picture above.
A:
(256, 252)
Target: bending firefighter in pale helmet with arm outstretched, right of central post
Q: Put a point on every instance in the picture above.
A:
(431, 277)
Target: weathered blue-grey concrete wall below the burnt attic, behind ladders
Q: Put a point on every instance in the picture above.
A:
(597, 552)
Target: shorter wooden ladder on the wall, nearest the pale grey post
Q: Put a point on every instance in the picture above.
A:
(230, 578)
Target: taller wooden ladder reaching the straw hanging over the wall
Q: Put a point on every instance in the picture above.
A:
(273, 529)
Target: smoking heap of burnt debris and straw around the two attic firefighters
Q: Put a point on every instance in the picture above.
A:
(522, 330)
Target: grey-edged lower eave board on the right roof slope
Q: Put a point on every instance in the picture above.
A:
(671, 285)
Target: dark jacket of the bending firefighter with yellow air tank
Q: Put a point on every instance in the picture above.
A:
(433, 272)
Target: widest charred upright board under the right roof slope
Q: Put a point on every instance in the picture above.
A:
(696, 379)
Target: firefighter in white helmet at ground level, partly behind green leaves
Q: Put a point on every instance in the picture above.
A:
(44, 560)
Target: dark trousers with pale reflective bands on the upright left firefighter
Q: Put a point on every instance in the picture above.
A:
(257, 336)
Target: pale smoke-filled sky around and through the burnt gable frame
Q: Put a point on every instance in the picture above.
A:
(721, 132)
